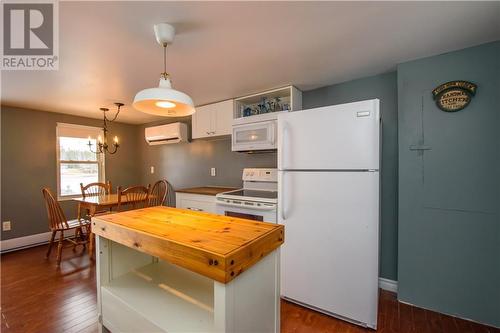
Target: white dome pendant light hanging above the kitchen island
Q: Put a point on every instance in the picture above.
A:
(163, 100)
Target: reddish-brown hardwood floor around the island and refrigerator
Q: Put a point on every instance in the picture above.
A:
(36, 296)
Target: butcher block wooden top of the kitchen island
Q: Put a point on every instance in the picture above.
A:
(216, 246)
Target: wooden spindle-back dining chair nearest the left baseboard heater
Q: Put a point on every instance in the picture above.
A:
(59, 223)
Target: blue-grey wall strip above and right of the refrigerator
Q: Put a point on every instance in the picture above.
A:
(384, 87)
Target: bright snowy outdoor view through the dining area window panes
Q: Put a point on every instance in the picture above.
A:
(77, 164)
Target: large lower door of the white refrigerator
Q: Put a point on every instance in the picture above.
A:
(329, 260)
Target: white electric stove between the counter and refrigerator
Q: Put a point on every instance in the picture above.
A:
(257, 200)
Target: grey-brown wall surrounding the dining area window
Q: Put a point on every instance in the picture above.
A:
(28, 142)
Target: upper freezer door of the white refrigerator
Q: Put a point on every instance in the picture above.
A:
(342, 137)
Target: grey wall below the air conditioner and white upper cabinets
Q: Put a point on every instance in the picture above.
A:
(188, 164)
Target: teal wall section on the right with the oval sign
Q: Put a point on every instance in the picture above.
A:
(449, 197)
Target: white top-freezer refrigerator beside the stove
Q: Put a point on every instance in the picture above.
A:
(328, 201)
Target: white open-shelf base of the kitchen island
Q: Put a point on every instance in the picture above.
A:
(140, 293)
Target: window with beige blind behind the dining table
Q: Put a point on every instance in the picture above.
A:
(75, 162)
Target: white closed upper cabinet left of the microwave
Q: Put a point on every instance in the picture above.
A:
(213, 120)
